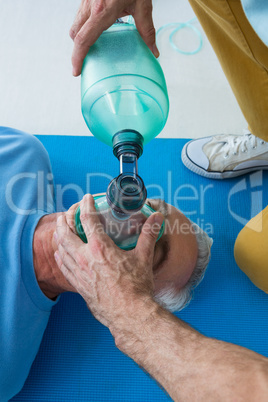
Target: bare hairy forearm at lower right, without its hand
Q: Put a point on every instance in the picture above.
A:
(191, 366)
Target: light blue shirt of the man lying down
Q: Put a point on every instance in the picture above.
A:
(26, 194)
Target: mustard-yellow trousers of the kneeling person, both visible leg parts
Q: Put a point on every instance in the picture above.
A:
(244, 60)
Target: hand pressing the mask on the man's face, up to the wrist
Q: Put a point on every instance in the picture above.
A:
(115, 284)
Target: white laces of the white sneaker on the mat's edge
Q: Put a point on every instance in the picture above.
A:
(242, 142)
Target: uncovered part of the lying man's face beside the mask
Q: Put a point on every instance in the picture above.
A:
(176, 251)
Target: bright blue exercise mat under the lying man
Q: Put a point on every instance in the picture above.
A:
(78, 360)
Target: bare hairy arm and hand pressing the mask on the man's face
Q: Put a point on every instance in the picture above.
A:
(118, 288)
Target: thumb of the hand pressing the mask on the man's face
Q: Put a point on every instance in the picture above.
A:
(149, 234)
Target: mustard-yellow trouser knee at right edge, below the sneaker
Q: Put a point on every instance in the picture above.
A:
(251, 250)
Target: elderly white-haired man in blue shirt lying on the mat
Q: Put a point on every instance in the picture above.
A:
(30, 280)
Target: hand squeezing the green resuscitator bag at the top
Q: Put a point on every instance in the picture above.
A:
(94, 16)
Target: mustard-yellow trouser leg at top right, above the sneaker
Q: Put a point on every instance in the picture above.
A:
(243, 57)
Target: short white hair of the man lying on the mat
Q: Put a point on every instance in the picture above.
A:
(176, 300)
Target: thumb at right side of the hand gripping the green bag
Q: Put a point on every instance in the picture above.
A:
(144, 23)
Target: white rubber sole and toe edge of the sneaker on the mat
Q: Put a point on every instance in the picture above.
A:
(213, 174)
